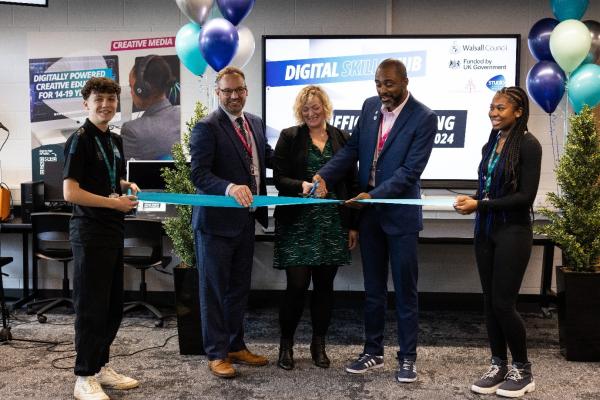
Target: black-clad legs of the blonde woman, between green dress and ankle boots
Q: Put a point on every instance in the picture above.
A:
(321, 303)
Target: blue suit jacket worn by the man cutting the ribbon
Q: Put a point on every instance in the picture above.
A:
(400, 164)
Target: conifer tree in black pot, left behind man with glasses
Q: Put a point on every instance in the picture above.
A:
(180, 231)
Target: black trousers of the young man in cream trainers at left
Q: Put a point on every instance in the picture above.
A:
(98, 302)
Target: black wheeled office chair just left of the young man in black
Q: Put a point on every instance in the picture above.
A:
(51, 243)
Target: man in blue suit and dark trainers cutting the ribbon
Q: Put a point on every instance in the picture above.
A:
(392, 143)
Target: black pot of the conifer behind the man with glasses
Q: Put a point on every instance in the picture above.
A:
(187, 308)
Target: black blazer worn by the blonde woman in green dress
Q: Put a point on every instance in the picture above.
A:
(289, 170)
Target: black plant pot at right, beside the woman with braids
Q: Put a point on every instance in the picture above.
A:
(578, 301)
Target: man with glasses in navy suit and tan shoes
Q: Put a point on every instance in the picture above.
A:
(229, 155)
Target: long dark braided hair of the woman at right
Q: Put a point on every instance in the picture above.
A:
(505, 179)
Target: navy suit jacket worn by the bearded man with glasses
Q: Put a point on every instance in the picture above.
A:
(218, 159)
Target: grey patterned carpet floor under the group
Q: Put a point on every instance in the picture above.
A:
(452, 353)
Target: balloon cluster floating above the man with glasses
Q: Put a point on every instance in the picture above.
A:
(218, 42)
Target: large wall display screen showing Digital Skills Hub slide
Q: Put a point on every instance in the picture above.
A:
(456, 76)
